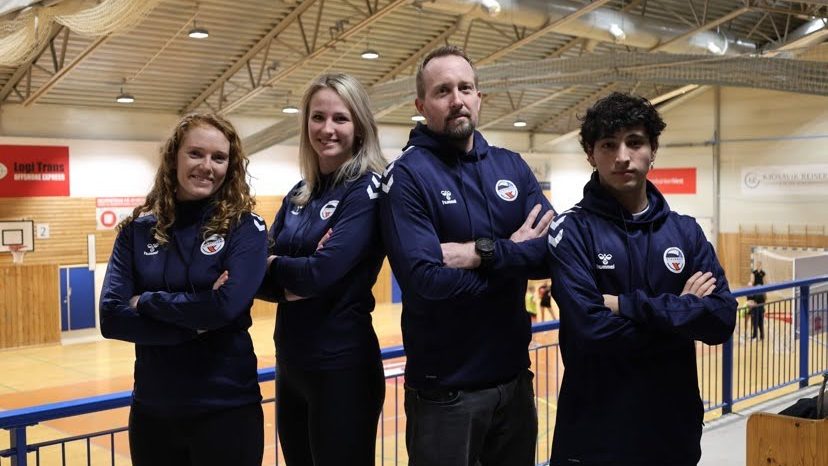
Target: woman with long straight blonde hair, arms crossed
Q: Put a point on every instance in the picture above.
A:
(325, 259)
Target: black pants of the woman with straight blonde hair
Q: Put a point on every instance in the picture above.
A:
(329, 417)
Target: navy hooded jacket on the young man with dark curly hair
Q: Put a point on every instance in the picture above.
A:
(630, 394)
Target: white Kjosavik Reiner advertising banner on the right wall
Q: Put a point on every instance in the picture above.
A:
(785, 179)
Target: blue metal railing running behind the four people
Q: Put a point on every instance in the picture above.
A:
(736, 371)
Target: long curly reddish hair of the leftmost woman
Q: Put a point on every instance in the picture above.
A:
(230, 202)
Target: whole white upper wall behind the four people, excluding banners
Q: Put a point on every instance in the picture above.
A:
(114, 152)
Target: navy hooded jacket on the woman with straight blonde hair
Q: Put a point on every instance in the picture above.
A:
(331, 328)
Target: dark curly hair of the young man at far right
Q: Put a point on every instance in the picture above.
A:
(618, 111)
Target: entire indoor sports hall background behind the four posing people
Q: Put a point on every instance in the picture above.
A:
(89, 90)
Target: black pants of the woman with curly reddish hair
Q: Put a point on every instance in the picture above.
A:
(231, 436)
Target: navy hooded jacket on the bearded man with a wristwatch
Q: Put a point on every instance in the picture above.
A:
(461, 328)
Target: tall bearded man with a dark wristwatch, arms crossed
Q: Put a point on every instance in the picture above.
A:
(464, 223)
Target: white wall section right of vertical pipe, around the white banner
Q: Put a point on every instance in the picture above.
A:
(771, 129)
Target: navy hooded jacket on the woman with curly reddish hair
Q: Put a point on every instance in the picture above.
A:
(193, 353)
